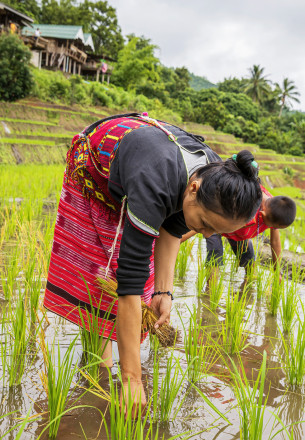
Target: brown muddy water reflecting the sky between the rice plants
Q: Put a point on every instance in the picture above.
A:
(289, 404)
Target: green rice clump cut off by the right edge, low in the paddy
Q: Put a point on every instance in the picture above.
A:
(294, 354)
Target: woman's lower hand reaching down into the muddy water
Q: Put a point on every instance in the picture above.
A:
(135, 390)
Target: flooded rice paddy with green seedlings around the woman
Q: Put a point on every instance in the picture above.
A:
(219, 353)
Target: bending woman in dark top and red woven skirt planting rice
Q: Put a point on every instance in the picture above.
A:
(132, 187)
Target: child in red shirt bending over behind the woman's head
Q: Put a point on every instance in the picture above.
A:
(274, 213)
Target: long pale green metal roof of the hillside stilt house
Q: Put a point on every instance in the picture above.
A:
(58, 31)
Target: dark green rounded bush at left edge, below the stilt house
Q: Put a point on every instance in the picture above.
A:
(15, 75)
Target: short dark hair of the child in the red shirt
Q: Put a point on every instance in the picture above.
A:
(282, 210)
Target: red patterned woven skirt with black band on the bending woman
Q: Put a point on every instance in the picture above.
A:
(84, 233)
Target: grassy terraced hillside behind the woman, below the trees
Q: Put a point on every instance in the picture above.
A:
(37, 132)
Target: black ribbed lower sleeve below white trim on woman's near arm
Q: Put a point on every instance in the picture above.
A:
(133, 261)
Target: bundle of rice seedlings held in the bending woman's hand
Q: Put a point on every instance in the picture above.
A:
(165, 333)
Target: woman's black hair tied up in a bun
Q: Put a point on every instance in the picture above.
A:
(231, 188)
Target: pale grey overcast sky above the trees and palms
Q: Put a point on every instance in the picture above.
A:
(223, 38)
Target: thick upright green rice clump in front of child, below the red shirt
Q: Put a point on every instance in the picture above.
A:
(234, 328)
